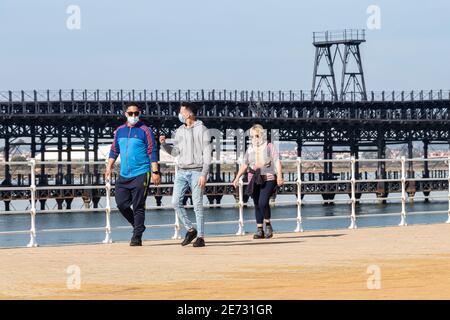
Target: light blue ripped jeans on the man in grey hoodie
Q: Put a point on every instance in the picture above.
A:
(183, 180)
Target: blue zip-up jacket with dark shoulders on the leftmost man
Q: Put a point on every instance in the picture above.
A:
(137, 148)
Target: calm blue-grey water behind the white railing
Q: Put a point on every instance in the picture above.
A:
(310, 213)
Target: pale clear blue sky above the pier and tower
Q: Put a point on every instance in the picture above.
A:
(250, 44)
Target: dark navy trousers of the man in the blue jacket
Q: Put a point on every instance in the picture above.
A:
(133, 191)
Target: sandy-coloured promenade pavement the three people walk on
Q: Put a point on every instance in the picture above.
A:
(409, 263)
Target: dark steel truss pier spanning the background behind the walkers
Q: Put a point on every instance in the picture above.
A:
(66, 121)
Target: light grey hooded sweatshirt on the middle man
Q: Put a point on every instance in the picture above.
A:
(192, 147)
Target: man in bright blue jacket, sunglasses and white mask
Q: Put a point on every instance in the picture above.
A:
(136, 145)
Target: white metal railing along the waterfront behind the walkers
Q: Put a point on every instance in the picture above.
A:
(33, 211)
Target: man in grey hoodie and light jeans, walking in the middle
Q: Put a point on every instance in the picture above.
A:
(192, 148)
